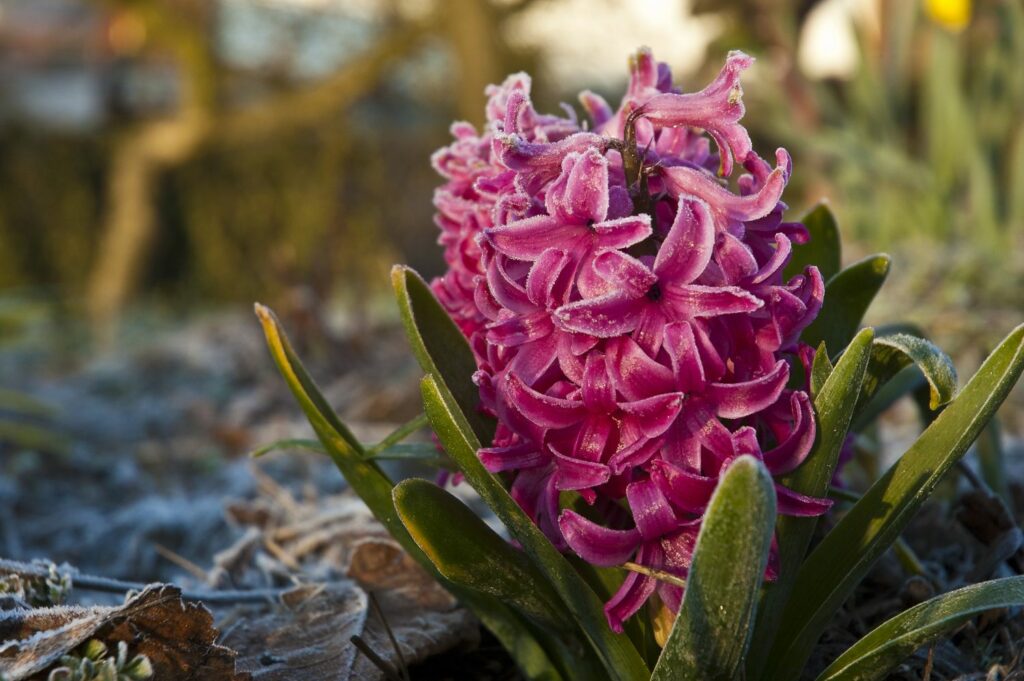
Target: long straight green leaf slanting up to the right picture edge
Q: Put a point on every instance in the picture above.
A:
(838, 564)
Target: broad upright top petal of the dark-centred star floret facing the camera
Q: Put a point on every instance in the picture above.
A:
(688, 248)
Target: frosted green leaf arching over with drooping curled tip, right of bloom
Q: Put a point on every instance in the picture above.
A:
(893, 353)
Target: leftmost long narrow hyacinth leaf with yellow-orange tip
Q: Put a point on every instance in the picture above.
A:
(374, 488)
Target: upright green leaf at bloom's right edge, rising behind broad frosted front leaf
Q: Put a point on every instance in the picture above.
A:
(834, 409)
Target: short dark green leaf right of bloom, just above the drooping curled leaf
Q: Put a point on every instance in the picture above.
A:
(848, 295)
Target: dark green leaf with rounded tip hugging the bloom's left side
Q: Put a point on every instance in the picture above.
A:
(440, 347)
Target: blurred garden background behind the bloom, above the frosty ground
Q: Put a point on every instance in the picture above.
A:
(198, 153)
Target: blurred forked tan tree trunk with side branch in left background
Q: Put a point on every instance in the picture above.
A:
(142, 155)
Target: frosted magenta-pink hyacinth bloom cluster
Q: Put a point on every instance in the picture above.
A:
(621, 283)
